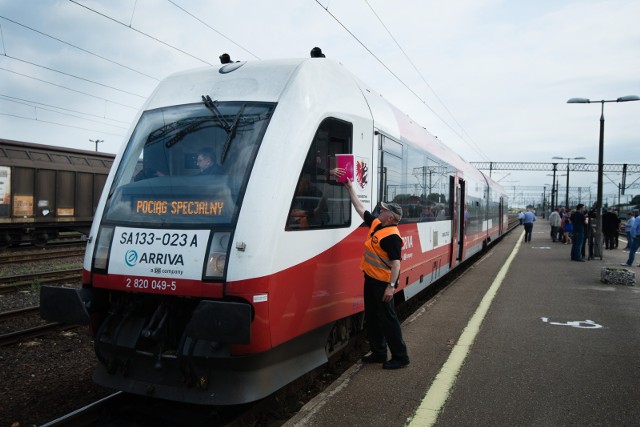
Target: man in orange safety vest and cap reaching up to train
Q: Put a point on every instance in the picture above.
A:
(381, 267)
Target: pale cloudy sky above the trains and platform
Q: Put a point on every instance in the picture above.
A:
(490, 78)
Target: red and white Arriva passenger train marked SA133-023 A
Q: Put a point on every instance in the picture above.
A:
(223, 262)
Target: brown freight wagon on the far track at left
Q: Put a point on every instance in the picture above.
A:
(45, 190)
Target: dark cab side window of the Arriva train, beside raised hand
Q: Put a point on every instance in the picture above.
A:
(319, 201)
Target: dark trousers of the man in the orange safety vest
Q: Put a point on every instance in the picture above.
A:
(383, 327)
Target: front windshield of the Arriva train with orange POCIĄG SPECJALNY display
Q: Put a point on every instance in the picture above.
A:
(188, 164)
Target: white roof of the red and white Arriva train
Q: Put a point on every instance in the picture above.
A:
(269, 81)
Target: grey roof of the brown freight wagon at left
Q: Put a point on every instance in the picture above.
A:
(27, 154)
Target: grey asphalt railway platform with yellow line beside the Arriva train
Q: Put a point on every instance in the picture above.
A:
(525, 337)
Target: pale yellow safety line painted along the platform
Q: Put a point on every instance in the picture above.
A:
(430, 407)
